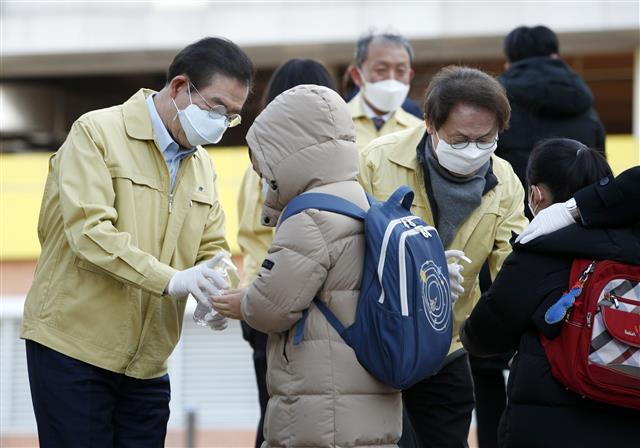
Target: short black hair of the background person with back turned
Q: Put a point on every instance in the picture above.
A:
(528, 42)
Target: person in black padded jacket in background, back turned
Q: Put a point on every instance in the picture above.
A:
(548, 99)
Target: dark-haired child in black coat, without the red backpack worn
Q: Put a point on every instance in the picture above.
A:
(541, 412)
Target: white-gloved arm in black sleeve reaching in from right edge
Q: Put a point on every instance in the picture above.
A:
(610, 202)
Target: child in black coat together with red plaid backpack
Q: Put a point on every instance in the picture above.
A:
(522, 311)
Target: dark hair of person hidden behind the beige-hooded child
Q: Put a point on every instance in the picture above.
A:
(295, 72)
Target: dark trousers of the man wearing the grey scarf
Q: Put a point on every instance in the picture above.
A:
(440, 406)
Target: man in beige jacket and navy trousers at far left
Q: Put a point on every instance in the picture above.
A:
(129, 226)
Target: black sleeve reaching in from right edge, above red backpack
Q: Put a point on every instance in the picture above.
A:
(611, 202)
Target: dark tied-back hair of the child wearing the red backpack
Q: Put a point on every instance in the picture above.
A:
(565, 166)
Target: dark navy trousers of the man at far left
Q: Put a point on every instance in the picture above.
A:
(80, 405)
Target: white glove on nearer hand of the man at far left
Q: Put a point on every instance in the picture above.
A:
(202, 281)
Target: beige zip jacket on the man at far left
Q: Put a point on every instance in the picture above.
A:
(112, 236)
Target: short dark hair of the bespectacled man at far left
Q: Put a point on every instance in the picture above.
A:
(211, 56)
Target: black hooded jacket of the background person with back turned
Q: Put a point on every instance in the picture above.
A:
(548, 99)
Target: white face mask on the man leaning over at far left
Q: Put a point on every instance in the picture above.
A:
(201, 127)
